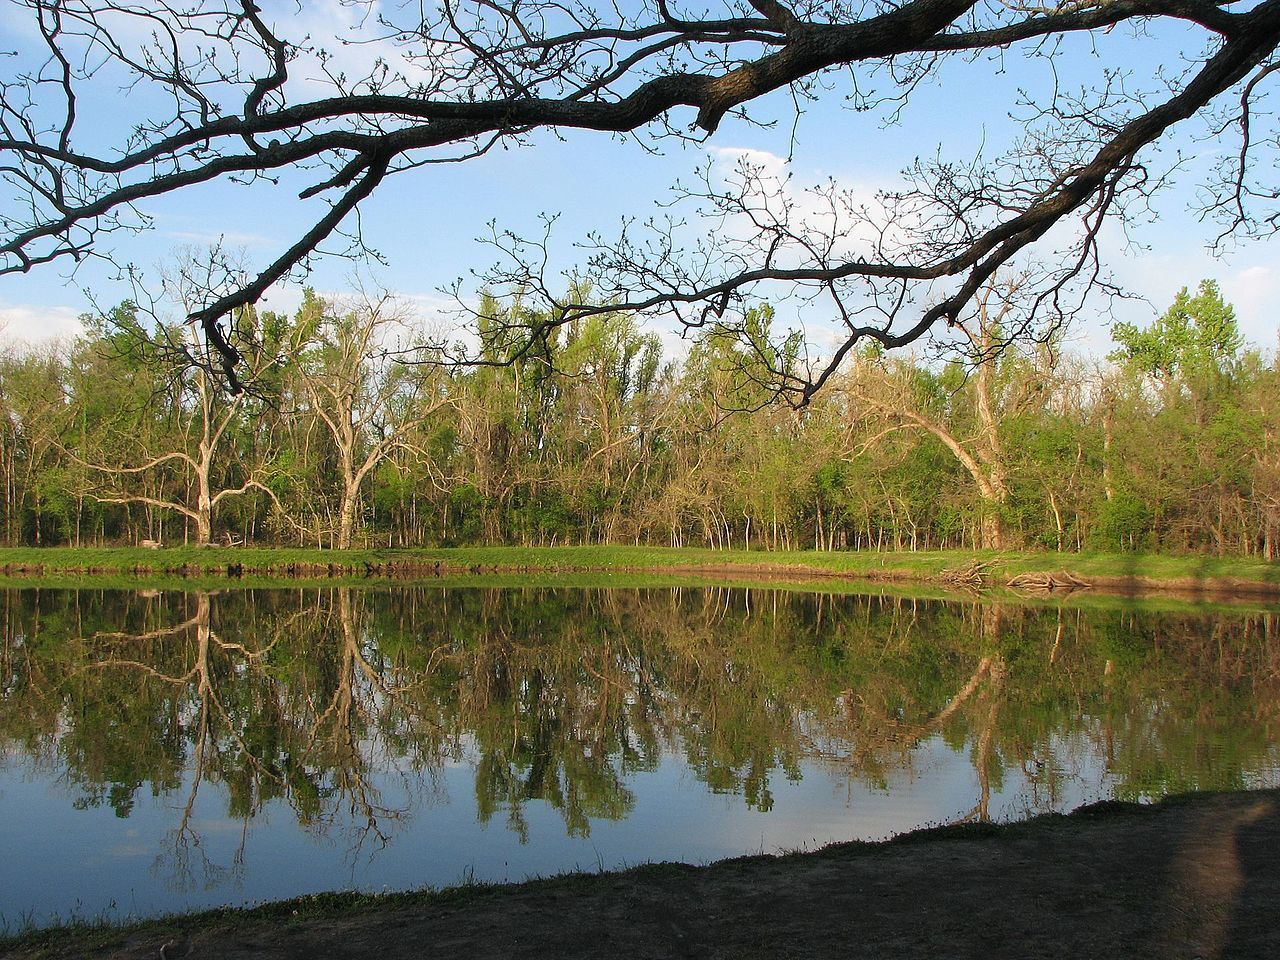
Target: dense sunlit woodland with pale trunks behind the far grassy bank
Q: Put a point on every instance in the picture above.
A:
(591, 435)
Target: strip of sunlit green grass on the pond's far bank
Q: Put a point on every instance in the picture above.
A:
(1113, 573)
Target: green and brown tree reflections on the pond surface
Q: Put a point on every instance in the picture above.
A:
(345, 705)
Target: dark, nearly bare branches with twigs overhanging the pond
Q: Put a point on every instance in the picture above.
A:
(228, 92)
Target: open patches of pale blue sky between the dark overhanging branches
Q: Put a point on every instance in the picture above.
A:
(426, 222)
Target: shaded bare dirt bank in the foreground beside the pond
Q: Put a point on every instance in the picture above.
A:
(1194, 877)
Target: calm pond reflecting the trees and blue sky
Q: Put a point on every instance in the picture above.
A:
(164, 751)
